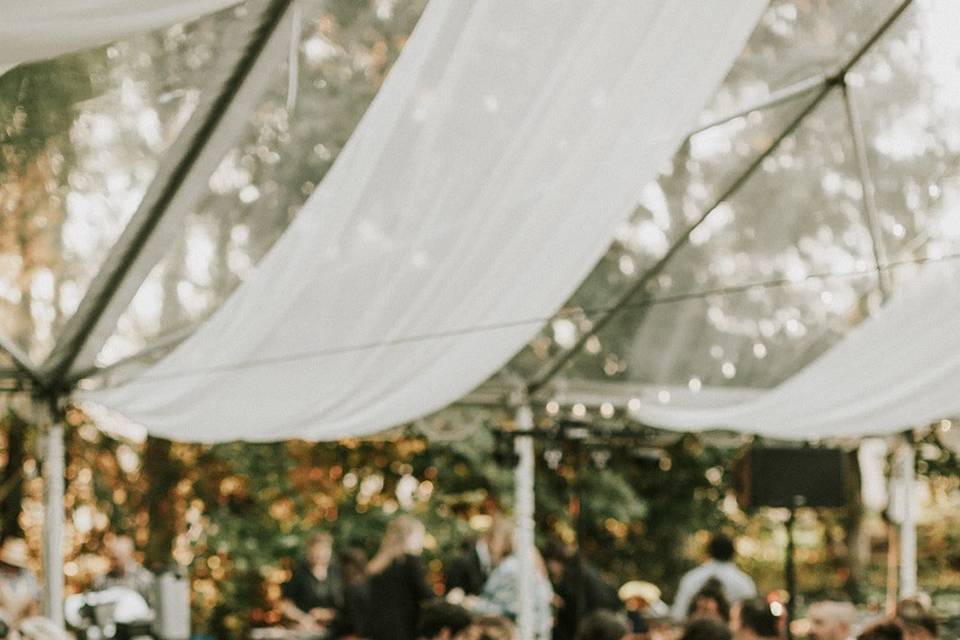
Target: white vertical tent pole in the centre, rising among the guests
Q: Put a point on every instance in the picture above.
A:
(524, 531)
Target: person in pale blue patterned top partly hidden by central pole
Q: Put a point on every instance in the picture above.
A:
(500, 595)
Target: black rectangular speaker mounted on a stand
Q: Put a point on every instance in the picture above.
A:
(781, 477)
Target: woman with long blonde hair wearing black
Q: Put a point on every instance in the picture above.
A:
(396, 583)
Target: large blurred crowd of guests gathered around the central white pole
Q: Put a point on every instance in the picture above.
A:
(389, 598)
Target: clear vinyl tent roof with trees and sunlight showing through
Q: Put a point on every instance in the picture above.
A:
(781, 188)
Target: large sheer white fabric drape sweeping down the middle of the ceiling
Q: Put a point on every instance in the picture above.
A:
(481, 186)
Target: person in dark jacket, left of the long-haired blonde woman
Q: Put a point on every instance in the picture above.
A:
(315, 590)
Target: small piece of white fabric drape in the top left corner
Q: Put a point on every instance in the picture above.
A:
(39, 29)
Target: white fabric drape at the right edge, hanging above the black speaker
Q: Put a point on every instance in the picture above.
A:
(900, 369)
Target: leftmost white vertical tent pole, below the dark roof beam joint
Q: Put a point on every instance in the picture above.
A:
(53, 520)
